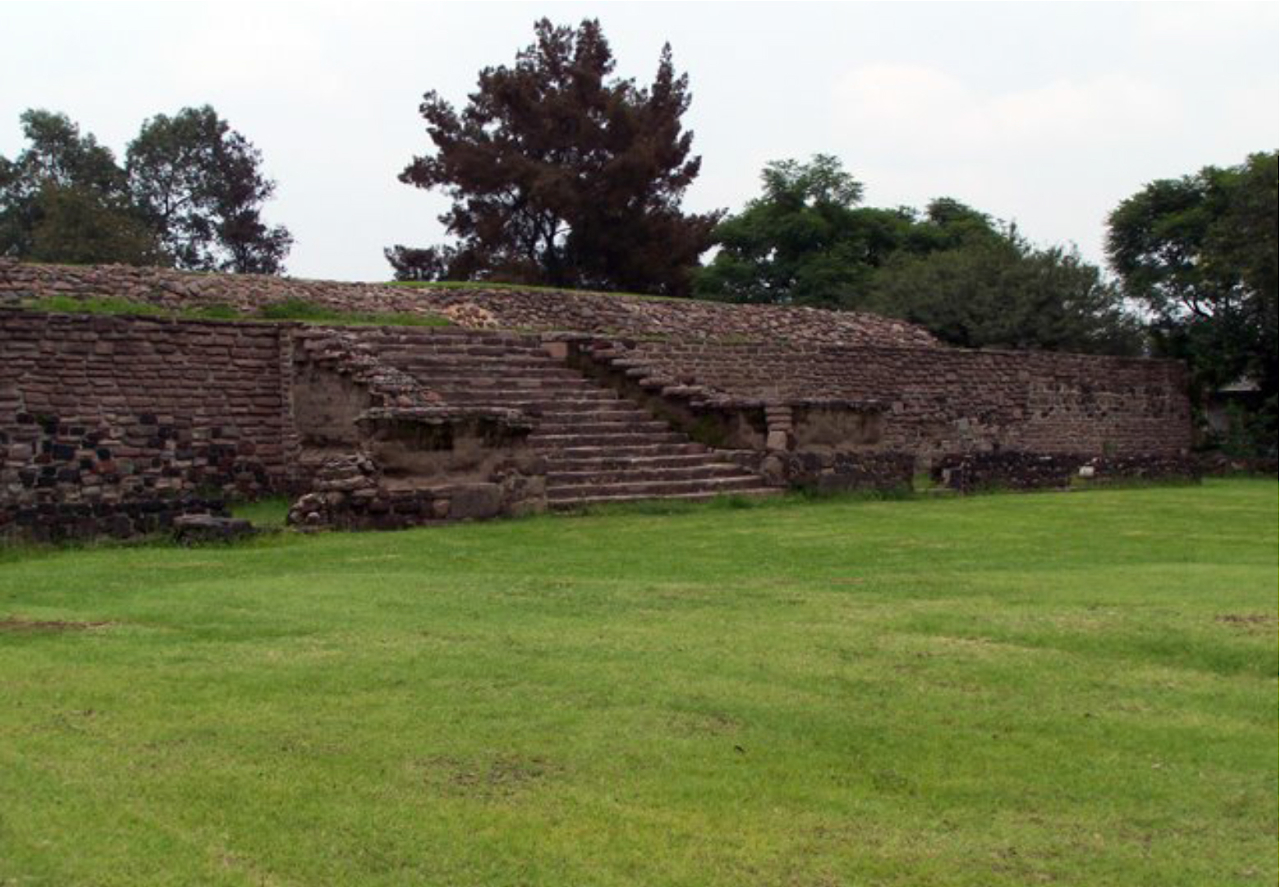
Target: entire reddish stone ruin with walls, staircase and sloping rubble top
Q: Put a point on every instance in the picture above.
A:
(528, 401)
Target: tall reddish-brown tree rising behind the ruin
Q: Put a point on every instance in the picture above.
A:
(563, 175)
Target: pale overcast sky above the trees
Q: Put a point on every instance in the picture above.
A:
(1046, 115)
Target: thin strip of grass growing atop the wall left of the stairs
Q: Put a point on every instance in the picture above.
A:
(289, 310)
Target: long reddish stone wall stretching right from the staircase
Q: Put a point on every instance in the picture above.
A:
(930, 404)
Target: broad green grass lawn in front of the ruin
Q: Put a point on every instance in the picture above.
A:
(1075, 689)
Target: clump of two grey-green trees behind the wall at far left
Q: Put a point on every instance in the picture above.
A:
(190, 195)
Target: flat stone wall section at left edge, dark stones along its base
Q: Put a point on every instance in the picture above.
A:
(102, 413)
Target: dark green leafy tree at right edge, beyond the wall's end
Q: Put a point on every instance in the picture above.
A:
(1200, 253)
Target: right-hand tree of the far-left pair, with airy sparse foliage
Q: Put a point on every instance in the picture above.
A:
(200, 185)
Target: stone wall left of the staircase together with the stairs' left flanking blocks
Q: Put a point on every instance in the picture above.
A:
(113, 426)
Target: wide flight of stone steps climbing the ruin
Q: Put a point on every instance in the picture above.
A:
(600, 447)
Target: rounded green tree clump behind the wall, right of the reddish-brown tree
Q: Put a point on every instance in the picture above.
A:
(970, 280)
